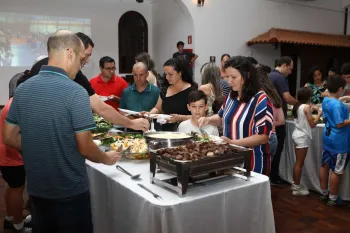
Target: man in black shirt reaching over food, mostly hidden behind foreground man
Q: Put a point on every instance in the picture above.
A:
(98, 106)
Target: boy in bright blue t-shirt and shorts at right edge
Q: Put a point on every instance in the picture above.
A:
(335, 141)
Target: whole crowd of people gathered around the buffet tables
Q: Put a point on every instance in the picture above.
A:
(48, 120)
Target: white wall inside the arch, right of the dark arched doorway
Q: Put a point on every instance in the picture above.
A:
(172, 22)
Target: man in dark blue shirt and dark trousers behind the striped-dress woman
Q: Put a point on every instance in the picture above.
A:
(279, 80)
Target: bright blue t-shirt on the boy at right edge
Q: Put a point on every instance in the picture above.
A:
(335, 112)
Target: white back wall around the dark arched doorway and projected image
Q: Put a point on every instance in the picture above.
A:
(104, 28)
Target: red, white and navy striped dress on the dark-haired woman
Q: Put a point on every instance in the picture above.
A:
(242, 120)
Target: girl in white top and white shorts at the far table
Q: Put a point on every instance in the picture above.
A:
(302, 136)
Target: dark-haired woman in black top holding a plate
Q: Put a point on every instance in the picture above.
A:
(173, 97)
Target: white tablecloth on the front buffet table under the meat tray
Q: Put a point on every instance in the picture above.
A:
(222, 206)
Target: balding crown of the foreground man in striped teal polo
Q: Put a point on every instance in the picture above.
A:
(63, 39)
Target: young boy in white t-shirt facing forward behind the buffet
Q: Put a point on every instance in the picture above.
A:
(197, 105)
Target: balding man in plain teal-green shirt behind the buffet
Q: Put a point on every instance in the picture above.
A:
(140, 96)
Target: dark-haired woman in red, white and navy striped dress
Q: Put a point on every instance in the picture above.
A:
(246, 115)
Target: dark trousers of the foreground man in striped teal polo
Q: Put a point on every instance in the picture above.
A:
(66, 215)
